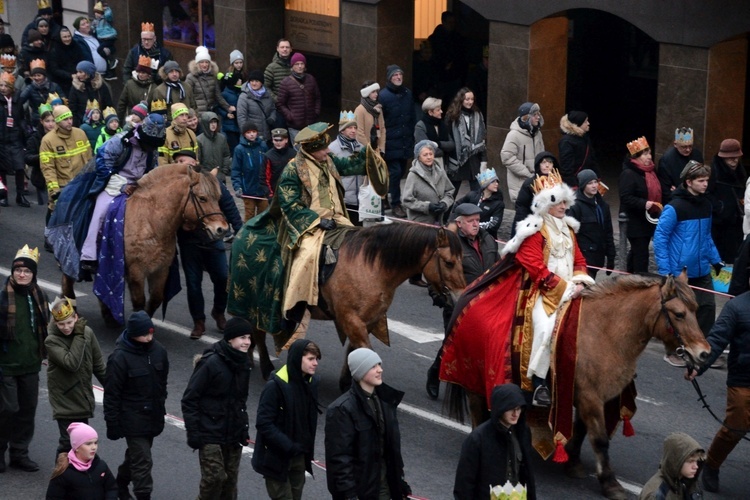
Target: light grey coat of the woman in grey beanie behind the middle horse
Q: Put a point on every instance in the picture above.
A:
(423, 187)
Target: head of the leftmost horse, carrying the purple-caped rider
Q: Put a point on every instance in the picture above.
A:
(202, 209)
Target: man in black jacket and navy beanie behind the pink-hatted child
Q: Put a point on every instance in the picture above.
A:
(135, 392)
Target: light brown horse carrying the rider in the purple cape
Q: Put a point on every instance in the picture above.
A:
(168, 198)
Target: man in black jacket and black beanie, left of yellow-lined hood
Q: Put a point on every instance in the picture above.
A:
(214, 407)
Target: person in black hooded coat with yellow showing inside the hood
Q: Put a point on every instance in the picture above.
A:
(287, 420)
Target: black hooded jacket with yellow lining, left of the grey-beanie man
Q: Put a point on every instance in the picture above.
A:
(276, 441)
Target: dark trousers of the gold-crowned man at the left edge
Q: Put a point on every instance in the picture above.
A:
(18, 400)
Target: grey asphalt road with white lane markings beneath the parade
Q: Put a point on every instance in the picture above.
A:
(430, 442)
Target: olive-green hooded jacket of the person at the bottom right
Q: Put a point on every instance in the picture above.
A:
(668, 482)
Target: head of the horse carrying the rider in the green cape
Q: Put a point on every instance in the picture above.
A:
(444, 270)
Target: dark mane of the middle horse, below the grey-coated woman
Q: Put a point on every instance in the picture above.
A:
(398, 245)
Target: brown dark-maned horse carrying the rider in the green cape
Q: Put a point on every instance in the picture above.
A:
(372, 263)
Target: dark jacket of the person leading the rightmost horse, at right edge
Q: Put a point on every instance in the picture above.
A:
(732, 328)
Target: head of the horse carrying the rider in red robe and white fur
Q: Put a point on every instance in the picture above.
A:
(679, 329)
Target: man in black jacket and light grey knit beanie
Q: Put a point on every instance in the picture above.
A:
(362, 435)
